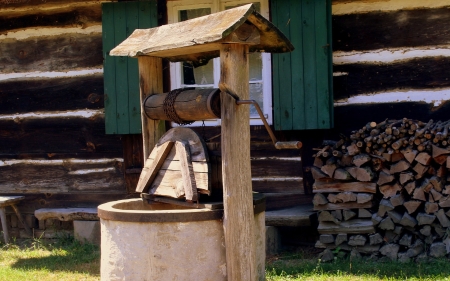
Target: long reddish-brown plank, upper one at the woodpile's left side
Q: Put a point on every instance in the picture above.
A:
(337, 186)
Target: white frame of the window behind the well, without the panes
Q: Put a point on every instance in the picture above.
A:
(173, 8)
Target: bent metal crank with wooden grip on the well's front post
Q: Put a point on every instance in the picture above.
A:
(278, 144)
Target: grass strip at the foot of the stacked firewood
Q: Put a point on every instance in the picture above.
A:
(304, 266)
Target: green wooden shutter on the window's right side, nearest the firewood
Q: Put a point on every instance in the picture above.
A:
(302, 79)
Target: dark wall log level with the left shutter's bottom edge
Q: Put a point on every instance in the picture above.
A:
(57, 136)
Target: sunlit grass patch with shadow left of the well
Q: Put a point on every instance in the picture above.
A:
(62, 259)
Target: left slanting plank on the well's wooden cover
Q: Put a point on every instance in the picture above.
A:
(152, 166)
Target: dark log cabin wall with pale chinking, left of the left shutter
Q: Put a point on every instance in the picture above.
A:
(53, 146)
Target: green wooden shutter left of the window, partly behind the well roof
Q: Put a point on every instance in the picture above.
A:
(121, 74)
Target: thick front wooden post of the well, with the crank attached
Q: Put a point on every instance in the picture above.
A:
(237, 194)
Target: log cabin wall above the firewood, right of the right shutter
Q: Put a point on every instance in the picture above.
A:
(391, 60)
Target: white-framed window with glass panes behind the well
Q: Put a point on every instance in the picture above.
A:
(208, 76)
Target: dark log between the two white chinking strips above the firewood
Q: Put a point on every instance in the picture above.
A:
(367, 78)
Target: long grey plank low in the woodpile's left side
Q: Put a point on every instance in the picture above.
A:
(357, 226)
